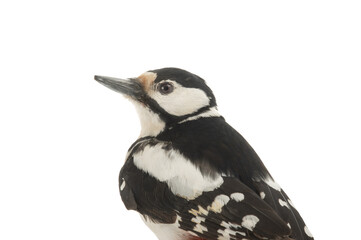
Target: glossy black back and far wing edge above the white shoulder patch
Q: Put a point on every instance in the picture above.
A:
(215, 147)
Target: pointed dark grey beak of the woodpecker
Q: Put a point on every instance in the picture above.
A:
(128, 87)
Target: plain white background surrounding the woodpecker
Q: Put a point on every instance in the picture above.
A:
(286, 74)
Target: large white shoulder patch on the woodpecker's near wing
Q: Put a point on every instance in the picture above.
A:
(182, 176)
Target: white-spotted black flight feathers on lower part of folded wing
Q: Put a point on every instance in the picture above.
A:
(232, 211)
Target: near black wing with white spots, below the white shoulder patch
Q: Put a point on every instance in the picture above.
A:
(232, 211)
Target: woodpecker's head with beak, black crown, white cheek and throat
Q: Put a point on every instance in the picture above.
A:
(164, 97)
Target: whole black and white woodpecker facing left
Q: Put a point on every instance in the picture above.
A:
(192, 176)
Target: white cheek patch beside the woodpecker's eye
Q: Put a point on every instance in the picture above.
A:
(182, 100)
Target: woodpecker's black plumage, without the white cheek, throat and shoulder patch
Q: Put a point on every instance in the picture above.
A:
(247, 205)
